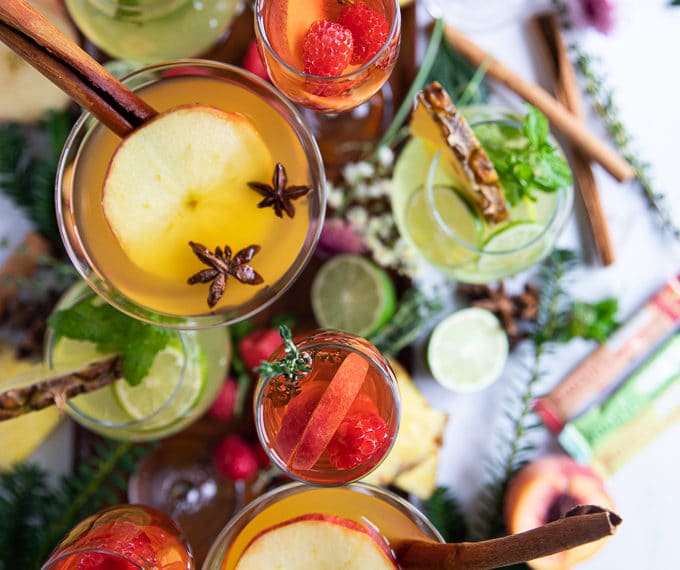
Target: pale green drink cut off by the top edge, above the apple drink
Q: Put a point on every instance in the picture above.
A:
(148, 31)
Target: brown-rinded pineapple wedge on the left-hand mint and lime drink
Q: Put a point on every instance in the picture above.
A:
(55, 391)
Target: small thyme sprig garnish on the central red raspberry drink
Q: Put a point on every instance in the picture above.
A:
(286, 372)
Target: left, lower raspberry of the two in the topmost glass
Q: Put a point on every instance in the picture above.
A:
(327, 48)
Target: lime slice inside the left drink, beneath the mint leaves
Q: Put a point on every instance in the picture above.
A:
(161, 392)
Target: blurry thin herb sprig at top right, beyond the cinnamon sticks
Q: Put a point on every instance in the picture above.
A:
(604, 104)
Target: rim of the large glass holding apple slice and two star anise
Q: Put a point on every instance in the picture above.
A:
(108, 291)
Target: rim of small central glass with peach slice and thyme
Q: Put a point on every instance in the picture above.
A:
(386, 372)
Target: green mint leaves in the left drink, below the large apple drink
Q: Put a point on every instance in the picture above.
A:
(112, 332)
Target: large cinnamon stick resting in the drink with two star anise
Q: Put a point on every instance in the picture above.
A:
(55, 55)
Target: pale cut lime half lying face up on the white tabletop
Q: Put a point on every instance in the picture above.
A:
(467, 350)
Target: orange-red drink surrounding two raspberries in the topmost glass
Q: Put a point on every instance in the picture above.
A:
(280, 27)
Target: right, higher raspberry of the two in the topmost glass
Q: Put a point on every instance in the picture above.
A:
(369, 29)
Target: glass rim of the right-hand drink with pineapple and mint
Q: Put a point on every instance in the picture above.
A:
(557, 218)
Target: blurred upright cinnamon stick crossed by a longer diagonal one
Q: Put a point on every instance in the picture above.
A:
(567, 92)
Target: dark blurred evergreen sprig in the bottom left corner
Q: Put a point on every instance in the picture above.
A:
(34, 516)
